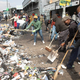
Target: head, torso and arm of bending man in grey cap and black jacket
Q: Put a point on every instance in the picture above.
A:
(72, 26)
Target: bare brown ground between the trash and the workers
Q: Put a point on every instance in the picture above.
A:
(33, 51)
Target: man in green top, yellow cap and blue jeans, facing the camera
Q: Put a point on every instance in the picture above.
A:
(37, 28)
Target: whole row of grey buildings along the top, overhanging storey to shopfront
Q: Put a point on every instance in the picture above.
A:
(48, 7)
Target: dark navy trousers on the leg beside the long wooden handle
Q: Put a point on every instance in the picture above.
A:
(73, 57)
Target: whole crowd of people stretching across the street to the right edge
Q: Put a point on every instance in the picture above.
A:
(64, 29)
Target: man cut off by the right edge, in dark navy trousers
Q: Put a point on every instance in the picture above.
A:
(75, 47)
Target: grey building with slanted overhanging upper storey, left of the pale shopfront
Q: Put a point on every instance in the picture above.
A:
(34, 6)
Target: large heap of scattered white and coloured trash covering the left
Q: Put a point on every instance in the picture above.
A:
(15, 65)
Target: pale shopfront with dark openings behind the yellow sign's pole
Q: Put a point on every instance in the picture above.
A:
(54, 7)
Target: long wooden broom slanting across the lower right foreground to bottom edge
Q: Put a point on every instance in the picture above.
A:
(58, 68)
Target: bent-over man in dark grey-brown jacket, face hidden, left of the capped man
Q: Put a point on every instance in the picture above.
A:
(59, 28)
